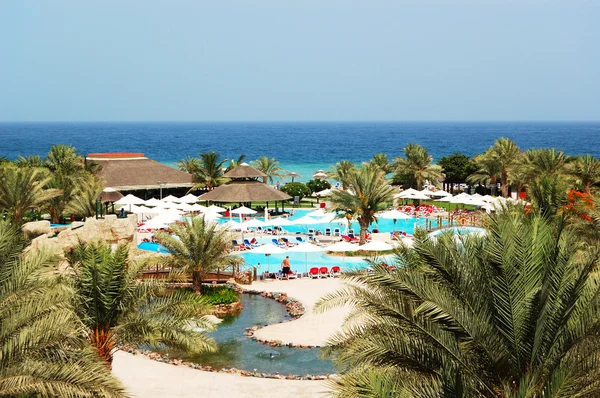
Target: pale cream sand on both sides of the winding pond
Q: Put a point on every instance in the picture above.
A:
(147, 378)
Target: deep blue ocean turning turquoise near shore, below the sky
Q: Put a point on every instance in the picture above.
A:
(300, 147)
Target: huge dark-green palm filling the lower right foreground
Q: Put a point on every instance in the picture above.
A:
(513, 313)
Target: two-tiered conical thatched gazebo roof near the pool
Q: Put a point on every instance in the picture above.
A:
(244, 187)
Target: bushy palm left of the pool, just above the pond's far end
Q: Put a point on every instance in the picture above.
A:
(197, 247)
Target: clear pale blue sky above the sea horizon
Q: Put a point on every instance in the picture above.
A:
(299, 60)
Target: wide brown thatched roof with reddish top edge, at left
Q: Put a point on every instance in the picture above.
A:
(134, 171)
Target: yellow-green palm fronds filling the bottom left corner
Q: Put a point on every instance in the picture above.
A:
(42, 352)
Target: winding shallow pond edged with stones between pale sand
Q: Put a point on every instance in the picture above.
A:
(235, 350)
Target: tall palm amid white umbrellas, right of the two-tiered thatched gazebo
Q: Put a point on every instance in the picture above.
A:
(370, 193)
